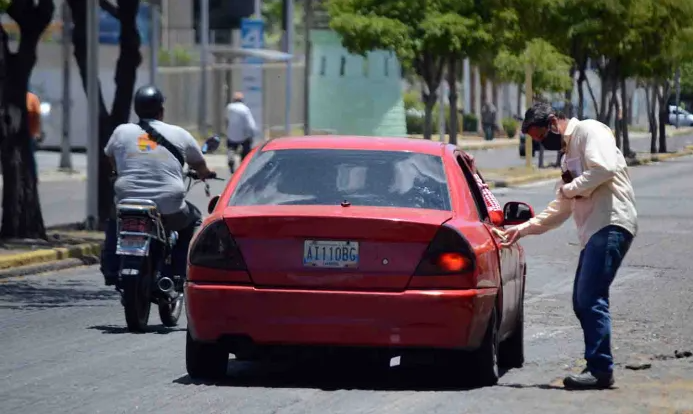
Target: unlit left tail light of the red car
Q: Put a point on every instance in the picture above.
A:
(215, 248)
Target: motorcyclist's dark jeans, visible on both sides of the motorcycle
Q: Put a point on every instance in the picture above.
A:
(185, 223)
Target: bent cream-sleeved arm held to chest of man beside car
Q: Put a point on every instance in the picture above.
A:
(602, 163)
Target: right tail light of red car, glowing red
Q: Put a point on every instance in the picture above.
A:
(449, 253)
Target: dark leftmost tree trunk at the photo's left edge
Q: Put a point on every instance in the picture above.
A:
(21, 215)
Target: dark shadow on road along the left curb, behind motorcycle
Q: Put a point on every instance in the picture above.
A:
(20, 294)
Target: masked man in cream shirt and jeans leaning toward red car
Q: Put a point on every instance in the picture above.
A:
(597, 191)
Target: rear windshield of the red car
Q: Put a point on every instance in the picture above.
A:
(332, 176)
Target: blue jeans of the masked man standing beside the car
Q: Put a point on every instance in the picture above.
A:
(599, 262)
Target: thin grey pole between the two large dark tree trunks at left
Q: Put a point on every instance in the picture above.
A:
(65, 147)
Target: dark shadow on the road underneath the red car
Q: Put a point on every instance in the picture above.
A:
(339, 377)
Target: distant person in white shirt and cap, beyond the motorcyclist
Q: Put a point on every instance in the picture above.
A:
(241, 130)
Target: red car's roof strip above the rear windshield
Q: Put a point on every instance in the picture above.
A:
(349, 142)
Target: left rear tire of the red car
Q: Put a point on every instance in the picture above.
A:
(205, 361)
